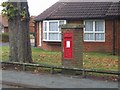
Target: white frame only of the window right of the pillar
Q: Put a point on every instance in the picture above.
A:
(94, 31)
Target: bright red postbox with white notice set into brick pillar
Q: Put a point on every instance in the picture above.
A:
(68, 46)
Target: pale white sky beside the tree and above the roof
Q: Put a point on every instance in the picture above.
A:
(37, 6)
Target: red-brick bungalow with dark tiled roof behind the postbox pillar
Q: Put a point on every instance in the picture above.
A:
(100, 17)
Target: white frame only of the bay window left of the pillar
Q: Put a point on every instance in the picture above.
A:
(48, 31)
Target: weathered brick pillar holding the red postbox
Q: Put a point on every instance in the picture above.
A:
(72, 46)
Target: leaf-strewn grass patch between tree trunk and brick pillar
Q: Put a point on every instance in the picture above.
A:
(46, 57)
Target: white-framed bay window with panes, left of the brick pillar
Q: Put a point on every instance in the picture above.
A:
(51, 30)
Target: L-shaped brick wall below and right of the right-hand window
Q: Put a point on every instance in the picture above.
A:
(101, 46)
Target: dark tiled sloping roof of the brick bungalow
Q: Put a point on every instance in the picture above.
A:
(80, 10)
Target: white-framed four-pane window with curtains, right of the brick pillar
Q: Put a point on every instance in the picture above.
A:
(94, 30)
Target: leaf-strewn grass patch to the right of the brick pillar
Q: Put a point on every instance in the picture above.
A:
(101, 61)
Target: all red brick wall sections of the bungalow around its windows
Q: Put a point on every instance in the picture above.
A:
(106, 46)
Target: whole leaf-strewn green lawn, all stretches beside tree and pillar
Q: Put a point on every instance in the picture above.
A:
(92, 60)
